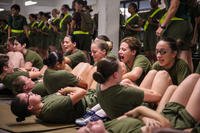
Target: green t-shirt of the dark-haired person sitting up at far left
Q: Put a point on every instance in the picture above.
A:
(34, 58)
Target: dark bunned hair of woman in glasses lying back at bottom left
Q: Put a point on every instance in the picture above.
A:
(20, 109)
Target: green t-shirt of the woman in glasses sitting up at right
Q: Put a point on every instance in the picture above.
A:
(178, 72)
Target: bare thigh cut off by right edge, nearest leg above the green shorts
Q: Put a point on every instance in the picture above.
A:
(192, 106)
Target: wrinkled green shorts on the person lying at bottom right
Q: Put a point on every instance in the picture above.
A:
(178, 116)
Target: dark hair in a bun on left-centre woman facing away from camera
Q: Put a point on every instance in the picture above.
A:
(53, 58)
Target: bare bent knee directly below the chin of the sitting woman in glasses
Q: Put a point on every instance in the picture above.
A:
(161, 81)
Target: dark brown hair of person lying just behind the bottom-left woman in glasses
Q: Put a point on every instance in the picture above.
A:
(18, 85)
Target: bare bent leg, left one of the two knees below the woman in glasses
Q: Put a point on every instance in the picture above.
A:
(148, 79)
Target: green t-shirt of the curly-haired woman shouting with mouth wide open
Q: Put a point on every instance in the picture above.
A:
(142, 62)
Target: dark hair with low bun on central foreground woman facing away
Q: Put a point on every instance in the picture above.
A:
(105, 68)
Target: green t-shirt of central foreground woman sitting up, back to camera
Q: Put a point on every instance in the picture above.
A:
(118, 99)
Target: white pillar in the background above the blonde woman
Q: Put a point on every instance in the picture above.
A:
(109, 20)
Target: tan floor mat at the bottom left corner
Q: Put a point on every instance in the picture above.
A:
(8, 123)
